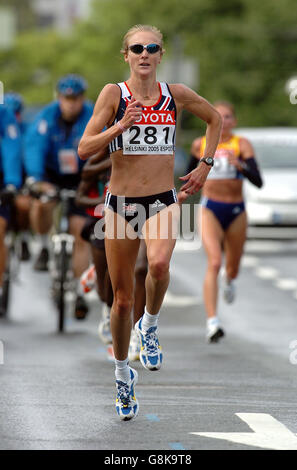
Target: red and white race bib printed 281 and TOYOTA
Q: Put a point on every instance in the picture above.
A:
(154, 133)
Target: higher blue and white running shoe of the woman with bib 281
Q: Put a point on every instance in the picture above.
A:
(151, 355)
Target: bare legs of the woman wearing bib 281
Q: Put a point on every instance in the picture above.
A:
(121, 255)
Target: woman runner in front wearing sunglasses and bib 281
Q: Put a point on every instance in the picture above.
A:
(141, 117)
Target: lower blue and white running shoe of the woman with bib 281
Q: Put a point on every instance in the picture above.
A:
(126, 403)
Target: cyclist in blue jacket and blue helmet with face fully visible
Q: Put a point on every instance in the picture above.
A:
(51, 158)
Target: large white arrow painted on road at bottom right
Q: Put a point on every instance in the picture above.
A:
(268, 433)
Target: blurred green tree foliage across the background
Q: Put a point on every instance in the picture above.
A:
(246, 51)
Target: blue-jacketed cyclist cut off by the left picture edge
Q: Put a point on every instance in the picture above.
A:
(10, 175)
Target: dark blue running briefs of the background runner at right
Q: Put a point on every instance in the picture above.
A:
(225, 212)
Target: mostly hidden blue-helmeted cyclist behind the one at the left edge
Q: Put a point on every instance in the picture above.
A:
(15, 103)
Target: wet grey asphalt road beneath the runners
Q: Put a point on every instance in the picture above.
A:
(58, 392)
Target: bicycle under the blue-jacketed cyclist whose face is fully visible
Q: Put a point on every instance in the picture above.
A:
(60, 264)
